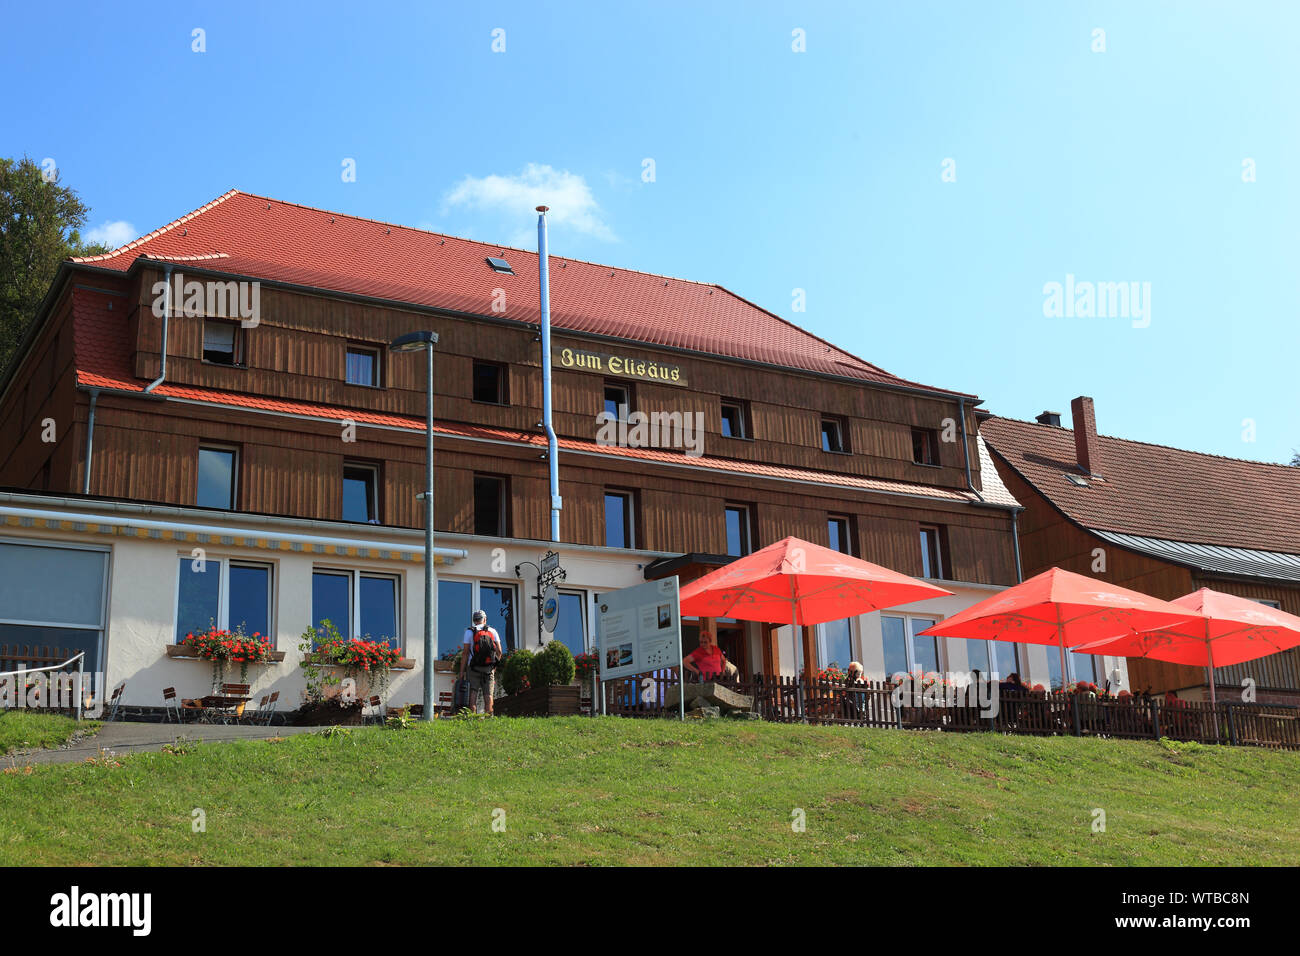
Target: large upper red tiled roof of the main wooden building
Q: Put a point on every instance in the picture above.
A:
(268, 240)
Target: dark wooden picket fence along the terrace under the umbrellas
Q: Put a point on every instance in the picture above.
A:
(873, 704)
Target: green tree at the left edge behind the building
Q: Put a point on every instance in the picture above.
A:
(40, 228)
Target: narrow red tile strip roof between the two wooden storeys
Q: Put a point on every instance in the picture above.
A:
(105, 362)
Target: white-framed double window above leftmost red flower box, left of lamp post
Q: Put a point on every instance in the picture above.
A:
(226, 594)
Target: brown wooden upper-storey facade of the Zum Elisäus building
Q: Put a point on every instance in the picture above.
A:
(146, 449)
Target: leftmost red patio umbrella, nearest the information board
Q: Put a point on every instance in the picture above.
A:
(803, 583)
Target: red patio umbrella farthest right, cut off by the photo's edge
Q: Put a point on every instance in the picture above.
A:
(1227, 630)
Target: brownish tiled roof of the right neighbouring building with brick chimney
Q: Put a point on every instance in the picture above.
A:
(1158, 492)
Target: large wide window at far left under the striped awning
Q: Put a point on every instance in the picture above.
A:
(54, 596)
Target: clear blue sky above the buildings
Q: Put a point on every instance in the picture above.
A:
(774, 170)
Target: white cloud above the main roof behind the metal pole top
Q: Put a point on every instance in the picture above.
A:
(569, 196)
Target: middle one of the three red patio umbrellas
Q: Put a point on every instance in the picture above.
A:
(1060, 609)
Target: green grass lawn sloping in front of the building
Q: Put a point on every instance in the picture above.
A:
(617, 791)
